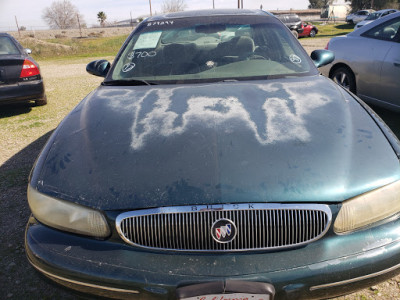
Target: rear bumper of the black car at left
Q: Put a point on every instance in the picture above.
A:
(22, 91)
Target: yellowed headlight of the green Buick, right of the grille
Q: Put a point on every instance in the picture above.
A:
(369, 208)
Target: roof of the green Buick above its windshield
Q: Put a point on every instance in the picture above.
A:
(208, 13)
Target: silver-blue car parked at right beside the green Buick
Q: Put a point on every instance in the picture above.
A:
(367, 62)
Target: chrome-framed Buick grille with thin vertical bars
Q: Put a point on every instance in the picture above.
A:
(258, 226)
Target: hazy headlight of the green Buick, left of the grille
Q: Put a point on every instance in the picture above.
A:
(67, 216)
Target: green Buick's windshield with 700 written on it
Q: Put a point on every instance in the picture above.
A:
(211, 48)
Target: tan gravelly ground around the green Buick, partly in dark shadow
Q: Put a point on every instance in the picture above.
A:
(66, 83)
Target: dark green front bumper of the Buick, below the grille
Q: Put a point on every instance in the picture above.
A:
(322, 269)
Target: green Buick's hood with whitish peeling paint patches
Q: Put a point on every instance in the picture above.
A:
(287, 140)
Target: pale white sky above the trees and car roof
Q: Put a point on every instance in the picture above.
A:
(29, 12)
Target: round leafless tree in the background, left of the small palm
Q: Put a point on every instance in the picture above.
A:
(62, 15)
